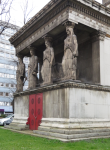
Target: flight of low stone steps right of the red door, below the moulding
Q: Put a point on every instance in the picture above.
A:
(72, 135)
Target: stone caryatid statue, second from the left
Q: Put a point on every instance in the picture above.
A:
(32, 69)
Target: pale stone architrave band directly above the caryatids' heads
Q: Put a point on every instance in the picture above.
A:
(58, 20)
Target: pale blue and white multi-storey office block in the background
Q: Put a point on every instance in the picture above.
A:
(8, 66)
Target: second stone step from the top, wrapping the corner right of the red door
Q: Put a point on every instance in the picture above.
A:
(72, 136)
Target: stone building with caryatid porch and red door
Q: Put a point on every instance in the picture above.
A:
(68, 44)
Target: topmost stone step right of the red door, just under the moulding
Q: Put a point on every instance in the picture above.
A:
(74, 131)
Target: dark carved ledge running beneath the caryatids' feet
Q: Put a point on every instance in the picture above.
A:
(67, 84)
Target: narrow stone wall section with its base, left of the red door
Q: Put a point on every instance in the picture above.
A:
(21, 113)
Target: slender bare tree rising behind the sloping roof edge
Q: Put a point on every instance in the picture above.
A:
(26, 10)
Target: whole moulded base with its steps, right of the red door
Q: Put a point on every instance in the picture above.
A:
(74, 129)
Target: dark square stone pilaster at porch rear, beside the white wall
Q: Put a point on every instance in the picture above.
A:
(97, 38)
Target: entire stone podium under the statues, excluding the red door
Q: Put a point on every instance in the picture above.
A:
(71, 111)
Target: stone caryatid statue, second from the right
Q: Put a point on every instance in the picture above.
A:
(48, 61)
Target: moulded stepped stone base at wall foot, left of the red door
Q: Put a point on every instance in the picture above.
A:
(18, 124)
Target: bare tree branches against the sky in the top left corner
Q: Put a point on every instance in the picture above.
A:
(5, 6)
